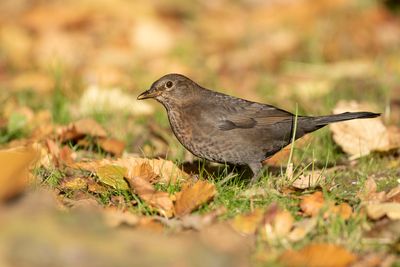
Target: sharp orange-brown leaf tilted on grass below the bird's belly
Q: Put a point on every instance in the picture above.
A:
(193, 196)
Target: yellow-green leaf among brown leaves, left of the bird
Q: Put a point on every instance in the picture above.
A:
(113, 175)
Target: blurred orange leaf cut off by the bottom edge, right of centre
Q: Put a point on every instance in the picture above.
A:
(315, 255)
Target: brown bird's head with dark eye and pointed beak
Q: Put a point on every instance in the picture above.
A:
(170, 88)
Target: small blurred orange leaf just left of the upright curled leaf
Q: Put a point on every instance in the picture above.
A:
(248, 223)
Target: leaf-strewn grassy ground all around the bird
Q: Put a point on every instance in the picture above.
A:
(109, 184)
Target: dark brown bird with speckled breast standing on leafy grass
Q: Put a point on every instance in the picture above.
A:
(227, 129)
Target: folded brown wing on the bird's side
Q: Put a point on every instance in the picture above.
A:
(247, 114)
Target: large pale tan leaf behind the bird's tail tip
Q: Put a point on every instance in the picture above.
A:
(359, 137)
